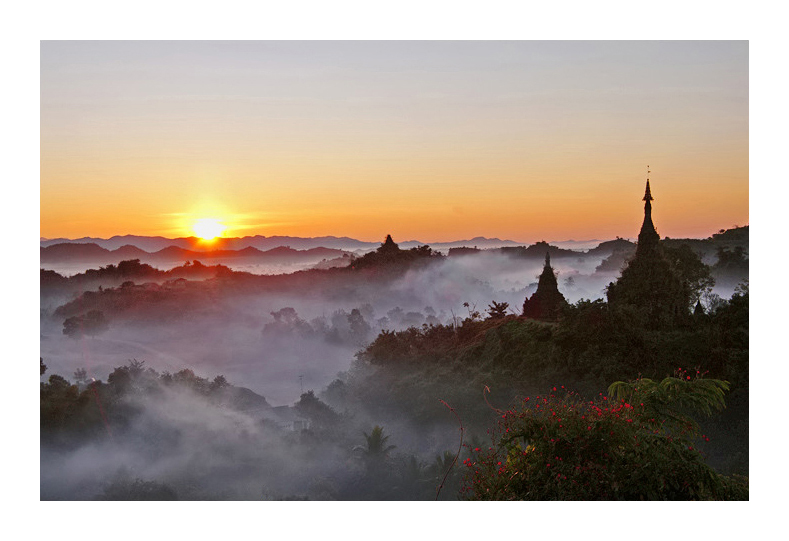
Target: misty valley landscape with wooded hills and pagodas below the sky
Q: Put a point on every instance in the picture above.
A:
(332, 369)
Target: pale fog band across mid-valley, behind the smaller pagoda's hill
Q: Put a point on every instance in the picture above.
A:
(232, 341)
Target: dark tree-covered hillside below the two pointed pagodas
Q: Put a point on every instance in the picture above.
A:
(590, 346)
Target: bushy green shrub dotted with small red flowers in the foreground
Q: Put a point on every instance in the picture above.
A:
(560, 447)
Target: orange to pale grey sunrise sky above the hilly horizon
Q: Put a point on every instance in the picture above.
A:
(424, 140)
